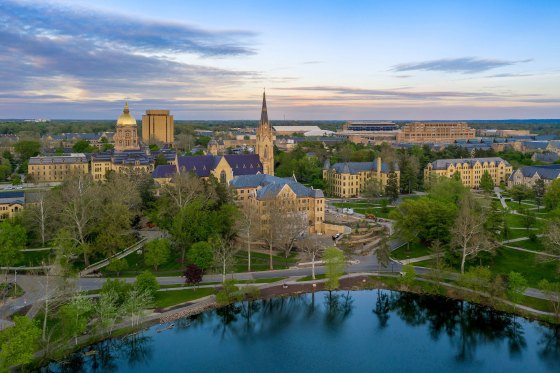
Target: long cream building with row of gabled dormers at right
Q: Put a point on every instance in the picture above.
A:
(470, 170)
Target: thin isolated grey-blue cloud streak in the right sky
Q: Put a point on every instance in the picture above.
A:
(464, 65)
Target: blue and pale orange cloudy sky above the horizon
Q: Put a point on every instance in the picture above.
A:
(317, 60)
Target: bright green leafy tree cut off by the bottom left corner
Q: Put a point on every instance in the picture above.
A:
(18, 343)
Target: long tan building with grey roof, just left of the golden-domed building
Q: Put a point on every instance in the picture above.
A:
(56, 168)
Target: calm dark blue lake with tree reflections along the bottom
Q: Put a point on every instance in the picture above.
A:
(362, 331)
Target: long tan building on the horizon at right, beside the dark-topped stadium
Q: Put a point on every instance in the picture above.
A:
(434, 132)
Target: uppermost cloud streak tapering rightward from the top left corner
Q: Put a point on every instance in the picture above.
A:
(120, 31)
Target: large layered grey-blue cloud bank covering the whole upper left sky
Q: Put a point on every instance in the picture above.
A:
(76, 54)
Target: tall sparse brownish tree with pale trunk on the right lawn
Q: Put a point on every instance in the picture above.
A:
(468, 233)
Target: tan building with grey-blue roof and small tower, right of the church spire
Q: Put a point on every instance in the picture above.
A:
(348, 179)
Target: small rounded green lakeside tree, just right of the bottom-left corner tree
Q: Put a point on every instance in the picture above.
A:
(74, 316)
